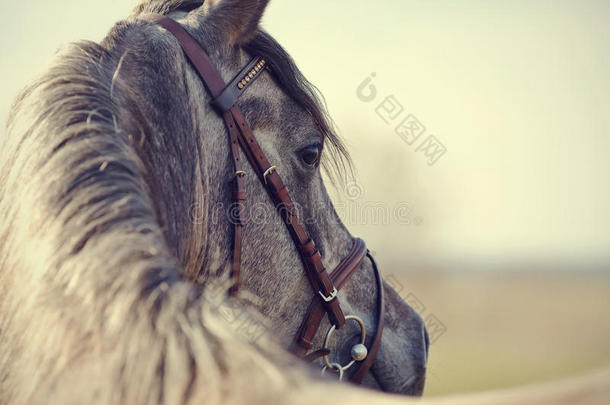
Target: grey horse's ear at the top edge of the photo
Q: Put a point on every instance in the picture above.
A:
(237, 20)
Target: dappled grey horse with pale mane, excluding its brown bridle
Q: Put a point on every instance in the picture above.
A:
(116, 184)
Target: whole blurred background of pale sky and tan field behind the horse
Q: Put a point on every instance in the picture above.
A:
(479, 133)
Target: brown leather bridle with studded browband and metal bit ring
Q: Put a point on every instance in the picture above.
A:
(326, 285)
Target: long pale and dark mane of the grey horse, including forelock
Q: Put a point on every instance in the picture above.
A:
(83, 229)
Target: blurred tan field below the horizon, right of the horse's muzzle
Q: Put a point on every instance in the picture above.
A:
(507, 329)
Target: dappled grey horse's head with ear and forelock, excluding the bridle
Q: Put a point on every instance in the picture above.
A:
(295, 134)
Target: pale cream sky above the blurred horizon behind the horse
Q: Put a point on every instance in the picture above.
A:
(517, 93)
